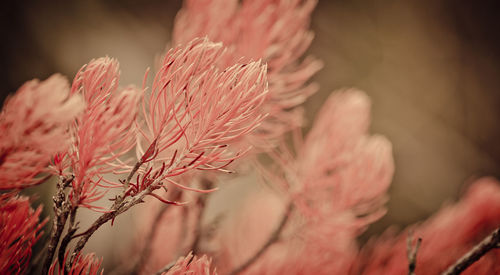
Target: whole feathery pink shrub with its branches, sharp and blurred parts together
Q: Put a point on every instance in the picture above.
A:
(212, 100)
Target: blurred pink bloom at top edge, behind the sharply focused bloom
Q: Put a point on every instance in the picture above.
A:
(276, 31)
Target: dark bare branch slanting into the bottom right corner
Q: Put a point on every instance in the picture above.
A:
(490, 242)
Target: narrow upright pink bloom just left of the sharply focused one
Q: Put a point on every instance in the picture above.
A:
(104, 132)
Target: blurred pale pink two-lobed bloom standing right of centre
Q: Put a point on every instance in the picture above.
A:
(341, 168)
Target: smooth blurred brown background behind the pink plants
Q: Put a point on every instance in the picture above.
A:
(431, 67)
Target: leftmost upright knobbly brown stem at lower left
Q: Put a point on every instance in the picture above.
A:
(61, 211)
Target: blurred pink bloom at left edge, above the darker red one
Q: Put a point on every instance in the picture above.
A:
(34, 127)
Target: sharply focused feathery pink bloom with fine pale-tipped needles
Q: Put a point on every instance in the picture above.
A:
(195, 110)
